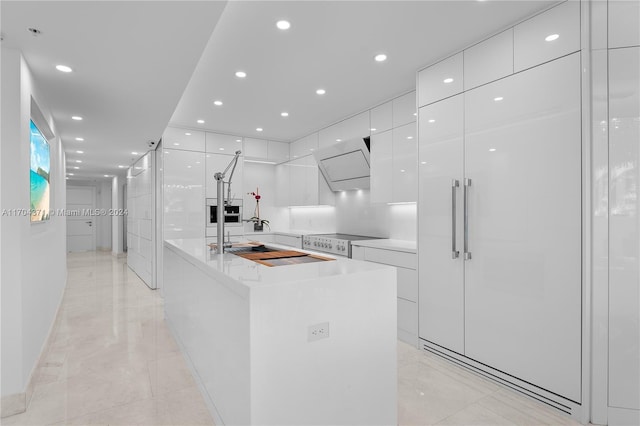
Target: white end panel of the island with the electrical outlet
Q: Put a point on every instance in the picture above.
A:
(348, 378)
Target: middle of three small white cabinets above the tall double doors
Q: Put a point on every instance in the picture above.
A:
(489, 60)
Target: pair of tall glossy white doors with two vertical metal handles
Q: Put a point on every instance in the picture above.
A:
(514, 291)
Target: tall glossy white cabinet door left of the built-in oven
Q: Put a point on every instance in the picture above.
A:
(184, 197)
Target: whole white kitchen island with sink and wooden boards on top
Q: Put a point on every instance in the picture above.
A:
(253, 336)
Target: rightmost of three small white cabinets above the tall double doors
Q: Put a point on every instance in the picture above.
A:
(547, 36)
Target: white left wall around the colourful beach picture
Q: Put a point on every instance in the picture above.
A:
(33, 256)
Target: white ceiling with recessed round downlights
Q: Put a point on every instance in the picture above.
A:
(132, 61)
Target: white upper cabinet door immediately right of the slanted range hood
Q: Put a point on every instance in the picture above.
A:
(381, 167)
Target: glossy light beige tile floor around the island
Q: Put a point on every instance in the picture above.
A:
(112, 361)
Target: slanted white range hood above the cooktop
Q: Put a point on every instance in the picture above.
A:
(345, 165)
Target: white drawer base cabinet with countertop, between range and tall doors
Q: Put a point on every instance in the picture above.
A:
(407, 290)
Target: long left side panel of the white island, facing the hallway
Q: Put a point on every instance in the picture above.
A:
(212, 324)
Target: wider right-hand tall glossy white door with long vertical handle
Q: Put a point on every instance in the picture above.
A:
(523, 292)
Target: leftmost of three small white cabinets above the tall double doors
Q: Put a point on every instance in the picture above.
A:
(440, 80)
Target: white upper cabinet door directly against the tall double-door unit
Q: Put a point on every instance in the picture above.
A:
(405, 165)
